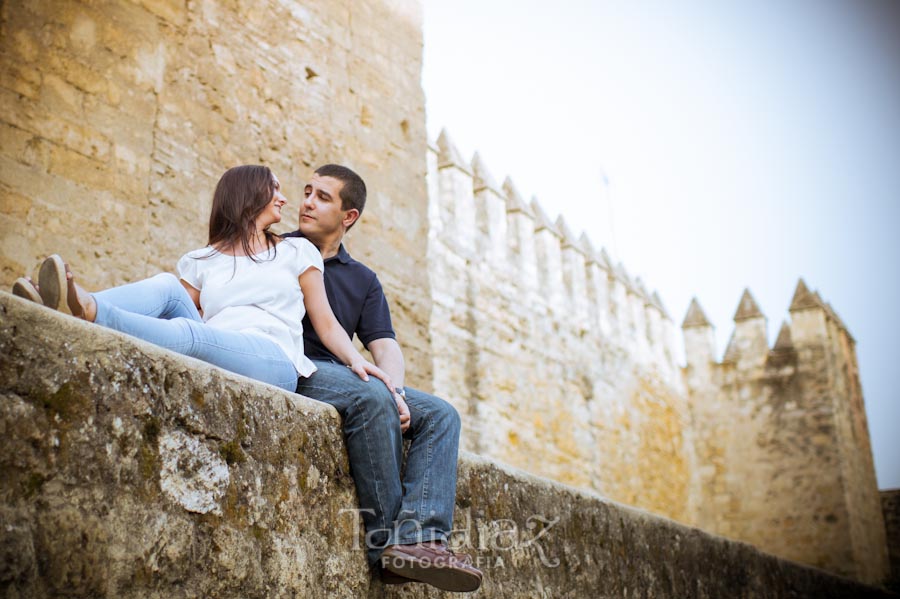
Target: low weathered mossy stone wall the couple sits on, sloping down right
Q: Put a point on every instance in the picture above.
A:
(130, 471)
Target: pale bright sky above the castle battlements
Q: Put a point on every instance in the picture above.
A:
(711, 146)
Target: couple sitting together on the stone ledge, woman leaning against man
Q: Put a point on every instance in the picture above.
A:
(283, 310)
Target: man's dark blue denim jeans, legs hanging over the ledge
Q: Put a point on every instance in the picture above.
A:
(418, 507)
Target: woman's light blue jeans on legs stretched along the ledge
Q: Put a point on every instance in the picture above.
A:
(160, 311)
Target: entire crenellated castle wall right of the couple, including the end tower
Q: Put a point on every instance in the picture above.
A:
(564, 364)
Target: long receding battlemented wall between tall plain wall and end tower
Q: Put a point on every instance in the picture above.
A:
(522, 315)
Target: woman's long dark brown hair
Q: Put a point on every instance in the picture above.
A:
(241, 195)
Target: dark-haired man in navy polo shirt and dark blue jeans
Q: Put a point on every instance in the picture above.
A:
(407, 520)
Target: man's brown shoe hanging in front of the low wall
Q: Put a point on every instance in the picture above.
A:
(434, 564)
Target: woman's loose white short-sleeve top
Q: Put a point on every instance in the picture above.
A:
(260, 297)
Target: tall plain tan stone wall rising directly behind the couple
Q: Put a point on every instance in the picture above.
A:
(117, 118)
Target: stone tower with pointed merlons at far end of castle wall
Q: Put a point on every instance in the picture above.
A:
(782, 443)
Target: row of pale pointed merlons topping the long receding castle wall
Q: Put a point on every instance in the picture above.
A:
(475, 219)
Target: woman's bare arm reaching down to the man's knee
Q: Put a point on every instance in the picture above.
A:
(329, 329)
